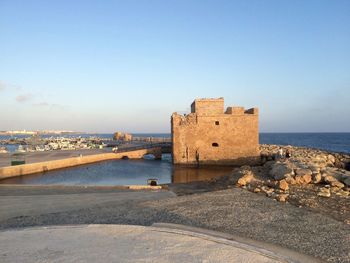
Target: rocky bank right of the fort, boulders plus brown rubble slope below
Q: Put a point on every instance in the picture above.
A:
(309, 178)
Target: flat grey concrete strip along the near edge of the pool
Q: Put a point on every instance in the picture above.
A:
(44, 203)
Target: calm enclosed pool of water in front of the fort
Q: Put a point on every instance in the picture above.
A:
(122, 172)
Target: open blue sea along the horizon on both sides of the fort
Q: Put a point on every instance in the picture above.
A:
(335, 142)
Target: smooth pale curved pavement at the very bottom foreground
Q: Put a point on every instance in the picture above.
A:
(125, 243)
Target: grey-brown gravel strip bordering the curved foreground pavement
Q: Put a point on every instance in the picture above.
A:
(235, 211)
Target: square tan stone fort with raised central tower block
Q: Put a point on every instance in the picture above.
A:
(210, 135)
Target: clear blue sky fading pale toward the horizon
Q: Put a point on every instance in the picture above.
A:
(102, 66)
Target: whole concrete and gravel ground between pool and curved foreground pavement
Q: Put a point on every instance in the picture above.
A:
(234, 211)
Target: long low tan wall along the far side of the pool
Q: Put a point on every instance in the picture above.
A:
(24, 169)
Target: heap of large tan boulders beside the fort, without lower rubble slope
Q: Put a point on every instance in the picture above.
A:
(305, 166)
